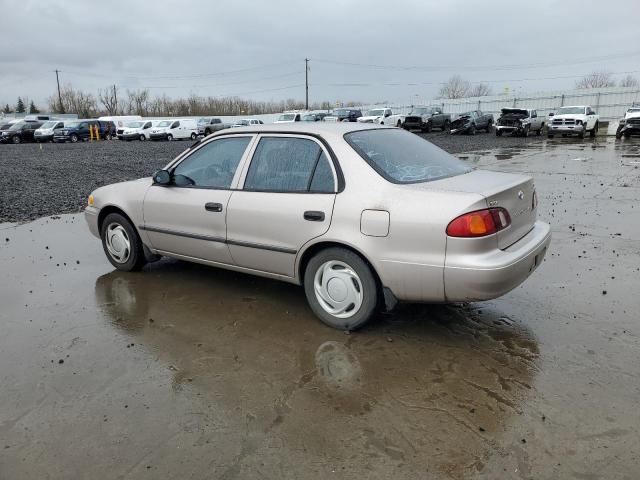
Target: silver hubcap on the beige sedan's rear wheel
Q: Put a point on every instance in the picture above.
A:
(338, 289)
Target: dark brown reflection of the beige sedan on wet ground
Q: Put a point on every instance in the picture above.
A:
(235, 351)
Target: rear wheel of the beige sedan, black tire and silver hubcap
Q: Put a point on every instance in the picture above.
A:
(354, 280)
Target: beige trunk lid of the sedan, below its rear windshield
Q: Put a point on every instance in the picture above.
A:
(509, 191)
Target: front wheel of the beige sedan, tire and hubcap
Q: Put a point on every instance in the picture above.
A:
(121, 243)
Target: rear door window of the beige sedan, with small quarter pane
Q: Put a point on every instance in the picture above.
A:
(289, 165)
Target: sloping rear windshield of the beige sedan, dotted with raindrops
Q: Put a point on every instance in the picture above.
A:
(402, 157)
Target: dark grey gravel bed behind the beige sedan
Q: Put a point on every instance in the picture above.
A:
(38, 180)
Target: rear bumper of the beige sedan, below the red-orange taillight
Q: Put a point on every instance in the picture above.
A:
(470, 277)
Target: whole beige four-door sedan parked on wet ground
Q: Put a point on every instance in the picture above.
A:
(360, 215)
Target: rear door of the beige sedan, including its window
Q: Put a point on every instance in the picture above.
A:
(287, 199)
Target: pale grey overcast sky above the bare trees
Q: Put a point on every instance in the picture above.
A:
(369, 50)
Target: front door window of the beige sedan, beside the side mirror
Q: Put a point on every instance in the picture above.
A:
(213, 165)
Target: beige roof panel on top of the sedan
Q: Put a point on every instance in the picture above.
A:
(326, 130)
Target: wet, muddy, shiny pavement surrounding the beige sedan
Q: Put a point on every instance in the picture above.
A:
(186, 371)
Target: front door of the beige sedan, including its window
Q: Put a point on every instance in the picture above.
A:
(187, 217)
